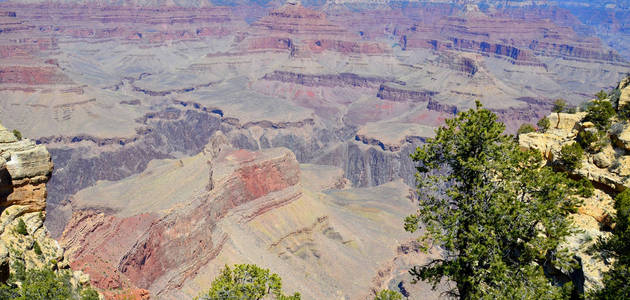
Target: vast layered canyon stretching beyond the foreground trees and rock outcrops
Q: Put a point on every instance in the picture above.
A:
(190, 134)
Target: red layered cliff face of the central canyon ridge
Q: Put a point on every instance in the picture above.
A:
(148, 251)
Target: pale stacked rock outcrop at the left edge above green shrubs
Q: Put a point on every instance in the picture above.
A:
(25, 168)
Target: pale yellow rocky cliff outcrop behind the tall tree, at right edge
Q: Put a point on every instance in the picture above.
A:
(604, 162)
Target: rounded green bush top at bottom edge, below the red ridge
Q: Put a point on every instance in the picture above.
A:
(247, 282)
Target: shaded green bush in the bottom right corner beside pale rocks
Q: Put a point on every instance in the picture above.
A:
(617, 280)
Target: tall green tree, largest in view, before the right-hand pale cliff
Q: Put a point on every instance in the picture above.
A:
(496, 213)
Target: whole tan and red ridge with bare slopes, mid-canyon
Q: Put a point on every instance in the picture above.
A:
(244, 206)
